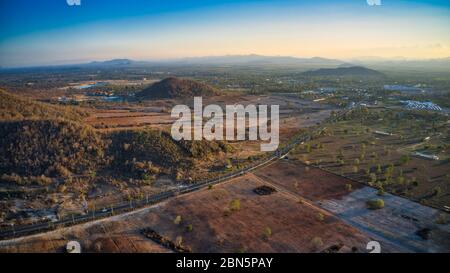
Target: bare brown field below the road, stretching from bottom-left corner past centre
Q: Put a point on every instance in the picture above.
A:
(274, 223)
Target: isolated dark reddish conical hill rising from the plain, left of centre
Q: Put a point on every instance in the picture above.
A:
(177, 88)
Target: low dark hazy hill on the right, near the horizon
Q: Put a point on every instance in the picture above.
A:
(345, 71)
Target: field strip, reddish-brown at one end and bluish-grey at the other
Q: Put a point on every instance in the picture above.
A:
(398, 222)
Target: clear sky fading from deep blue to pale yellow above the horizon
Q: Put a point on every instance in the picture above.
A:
(48, 32)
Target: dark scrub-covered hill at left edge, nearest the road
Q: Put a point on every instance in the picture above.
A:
(36, 147)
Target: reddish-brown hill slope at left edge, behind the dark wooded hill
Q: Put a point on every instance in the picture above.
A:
(13, 107)
